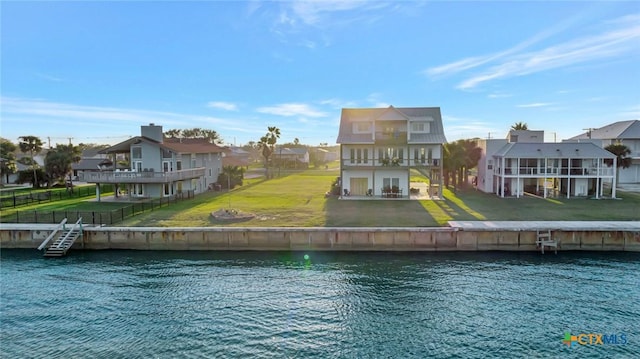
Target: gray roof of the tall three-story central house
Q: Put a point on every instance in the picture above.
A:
(351, 115)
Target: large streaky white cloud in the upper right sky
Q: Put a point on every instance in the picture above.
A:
(622, 38)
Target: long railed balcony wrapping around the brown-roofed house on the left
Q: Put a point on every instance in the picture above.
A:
(140, 177)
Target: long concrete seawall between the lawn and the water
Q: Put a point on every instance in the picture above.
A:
(459, 236)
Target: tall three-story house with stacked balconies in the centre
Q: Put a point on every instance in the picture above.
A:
(380, 146)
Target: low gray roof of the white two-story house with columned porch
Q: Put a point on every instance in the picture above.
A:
(553, 150)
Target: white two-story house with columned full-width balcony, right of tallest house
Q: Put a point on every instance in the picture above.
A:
(524, 163)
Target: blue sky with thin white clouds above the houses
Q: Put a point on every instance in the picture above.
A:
(97, 71)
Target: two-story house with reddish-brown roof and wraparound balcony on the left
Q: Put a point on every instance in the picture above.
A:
(162, 167)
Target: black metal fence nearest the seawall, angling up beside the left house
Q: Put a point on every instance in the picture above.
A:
(95, 217)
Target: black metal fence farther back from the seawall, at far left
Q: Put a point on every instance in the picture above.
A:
(13, 199)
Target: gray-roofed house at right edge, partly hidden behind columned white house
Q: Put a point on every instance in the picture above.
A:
(623, 132)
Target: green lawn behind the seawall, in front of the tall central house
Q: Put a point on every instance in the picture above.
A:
(298, 199)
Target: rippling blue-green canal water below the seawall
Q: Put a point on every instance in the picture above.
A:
(142, 304)
